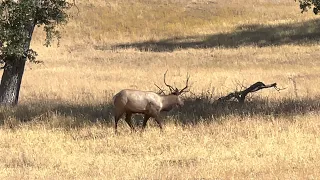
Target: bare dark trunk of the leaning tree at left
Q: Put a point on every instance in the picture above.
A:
(11, 81)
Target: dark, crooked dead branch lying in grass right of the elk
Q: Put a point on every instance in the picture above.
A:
(241, 95)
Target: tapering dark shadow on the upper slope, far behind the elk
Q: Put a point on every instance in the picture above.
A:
(246, 35)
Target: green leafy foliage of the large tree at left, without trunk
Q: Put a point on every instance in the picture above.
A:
(17, 20)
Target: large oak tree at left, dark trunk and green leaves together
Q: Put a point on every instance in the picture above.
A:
(18, 18)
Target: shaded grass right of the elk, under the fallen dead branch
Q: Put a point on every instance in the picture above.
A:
(204, 109)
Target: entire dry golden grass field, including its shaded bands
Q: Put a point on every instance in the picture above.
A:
(63, 126)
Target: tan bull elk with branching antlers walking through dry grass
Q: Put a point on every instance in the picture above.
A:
(149, 103)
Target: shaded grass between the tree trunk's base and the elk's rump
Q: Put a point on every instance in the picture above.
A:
(60, 113)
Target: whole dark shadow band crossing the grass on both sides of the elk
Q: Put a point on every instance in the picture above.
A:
(195, 110)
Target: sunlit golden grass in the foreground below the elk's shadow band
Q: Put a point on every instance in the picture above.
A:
(233, 149)
